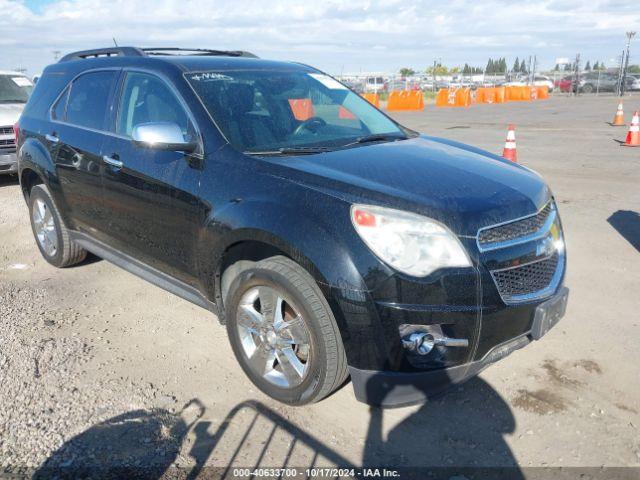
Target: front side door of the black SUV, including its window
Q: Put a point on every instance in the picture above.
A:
(151, 195)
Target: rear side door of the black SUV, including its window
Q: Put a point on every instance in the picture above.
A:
(75, 137)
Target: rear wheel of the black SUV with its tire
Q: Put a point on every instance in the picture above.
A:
(65, 252)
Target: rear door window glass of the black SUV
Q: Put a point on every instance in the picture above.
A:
(88, 99)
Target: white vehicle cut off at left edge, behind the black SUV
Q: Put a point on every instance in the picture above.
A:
(15, 89)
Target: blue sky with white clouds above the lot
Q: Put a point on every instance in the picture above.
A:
(338, 37)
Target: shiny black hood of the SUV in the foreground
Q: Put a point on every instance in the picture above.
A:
(461, 186)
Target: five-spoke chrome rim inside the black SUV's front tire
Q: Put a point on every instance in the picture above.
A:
(274, 337)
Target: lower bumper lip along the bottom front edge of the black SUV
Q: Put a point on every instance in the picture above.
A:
(396, 389)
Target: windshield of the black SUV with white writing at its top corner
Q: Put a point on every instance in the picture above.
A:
(272, 110)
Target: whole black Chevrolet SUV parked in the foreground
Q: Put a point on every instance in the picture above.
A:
(331, 240)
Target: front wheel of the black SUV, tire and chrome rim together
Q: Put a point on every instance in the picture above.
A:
(323, 358)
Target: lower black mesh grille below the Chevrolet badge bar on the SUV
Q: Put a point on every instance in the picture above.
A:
(526, 279)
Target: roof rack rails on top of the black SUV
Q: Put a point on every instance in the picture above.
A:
(145, 52)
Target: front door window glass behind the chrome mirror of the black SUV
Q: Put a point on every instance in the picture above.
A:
(146, 99)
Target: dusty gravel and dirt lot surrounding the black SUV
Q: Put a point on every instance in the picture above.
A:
(94, 353)
